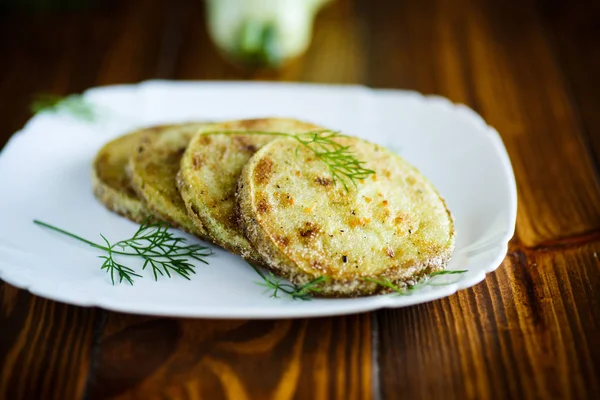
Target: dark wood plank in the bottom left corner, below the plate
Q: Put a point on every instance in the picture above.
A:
(45, 347)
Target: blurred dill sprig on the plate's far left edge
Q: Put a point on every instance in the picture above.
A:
(74, 104)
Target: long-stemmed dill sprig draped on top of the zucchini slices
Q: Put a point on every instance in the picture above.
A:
(343, 165)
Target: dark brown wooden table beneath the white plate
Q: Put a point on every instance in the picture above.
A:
(531, 330)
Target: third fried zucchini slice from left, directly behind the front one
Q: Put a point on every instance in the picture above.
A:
(209, 171)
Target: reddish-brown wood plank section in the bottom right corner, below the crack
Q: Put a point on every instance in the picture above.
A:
(529, 331)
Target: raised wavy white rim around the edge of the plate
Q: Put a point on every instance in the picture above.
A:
(499, 247)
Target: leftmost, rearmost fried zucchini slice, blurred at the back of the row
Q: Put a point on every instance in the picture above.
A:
(109, 178)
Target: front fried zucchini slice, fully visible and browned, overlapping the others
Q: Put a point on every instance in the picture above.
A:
(392, 226)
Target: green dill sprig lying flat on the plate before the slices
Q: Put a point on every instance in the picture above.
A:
(154, 243)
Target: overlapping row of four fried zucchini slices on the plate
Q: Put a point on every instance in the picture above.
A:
(250, 187)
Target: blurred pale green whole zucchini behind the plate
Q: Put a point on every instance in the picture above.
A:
(262, 33)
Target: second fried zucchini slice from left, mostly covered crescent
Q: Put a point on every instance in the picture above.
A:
(153, 167)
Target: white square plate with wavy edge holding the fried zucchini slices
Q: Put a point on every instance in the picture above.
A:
(45, 174)
